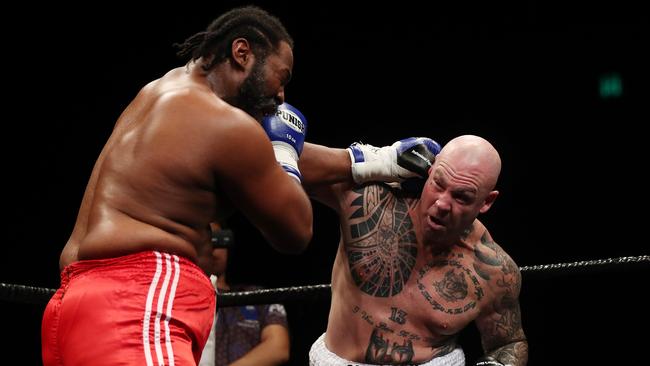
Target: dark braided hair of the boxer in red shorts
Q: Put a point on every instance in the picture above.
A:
(262, 30)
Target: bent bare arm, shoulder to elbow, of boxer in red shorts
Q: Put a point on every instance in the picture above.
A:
(256, 184)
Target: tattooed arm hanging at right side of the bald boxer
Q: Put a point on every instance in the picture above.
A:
(502, 335)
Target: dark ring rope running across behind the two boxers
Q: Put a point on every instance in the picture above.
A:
(40, 295)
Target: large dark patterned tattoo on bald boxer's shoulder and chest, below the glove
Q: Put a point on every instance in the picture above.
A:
(383, 247)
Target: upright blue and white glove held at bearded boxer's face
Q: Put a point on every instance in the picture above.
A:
(287, 129)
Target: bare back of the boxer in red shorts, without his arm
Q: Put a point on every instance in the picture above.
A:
(153, 186)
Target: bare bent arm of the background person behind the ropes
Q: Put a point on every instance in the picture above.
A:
(272, 350)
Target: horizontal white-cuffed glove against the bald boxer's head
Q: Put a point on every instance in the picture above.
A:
(406, 159)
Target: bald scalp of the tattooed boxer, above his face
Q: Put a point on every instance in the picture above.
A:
(474, 154)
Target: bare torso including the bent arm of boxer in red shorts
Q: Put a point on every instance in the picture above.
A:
(179, 158)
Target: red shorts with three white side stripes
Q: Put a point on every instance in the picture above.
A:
(147, 308)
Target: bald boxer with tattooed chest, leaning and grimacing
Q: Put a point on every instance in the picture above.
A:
(413, 270)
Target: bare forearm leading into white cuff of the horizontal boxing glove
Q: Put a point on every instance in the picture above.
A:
(325, 171)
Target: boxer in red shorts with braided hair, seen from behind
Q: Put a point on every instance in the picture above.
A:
(186, 151)
